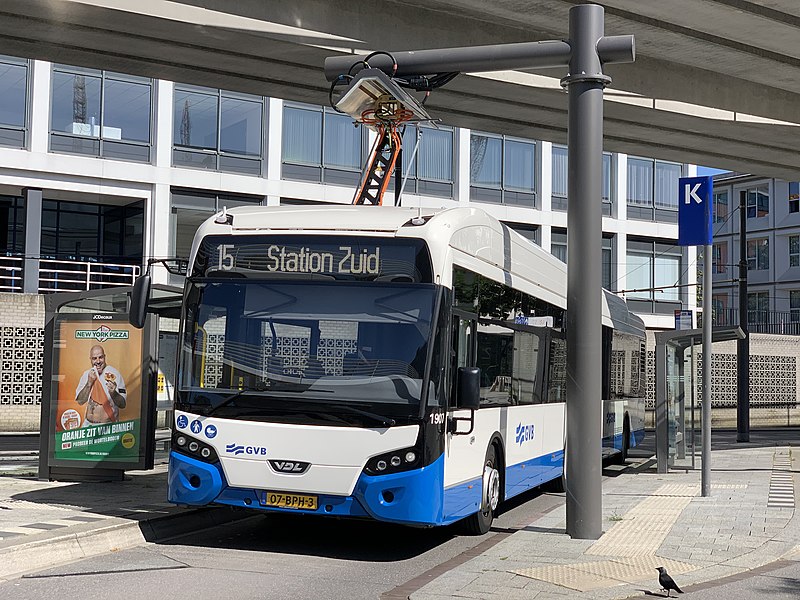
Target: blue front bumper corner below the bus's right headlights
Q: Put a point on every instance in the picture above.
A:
(411, 497)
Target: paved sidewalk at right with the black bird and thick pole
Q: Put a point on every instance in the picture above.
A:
(650, 520)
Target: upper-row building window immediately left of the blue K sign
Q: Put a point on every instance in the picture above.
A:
(653, 189)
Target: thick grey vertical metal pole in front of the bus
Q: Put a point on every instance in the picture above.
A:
(583, 461)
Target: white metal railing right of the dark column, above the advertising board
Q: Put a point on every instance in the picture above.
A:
(79, 276)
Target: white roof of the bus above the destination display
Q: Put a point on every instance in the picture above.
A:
(470, 236)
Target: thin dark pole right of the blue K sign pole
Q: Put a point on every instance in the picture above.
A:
(743, 345)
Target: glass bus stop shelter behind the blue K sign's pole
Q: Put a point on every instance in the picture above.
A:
(673, 382)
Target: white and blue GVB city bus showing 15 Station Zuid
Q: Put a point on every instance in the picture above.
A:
(384, 363)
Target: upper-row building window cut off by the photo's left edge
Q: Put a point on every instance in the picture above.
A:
(13, 101)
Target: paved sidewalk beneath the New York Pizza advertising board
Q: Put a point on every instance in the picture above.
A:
(43, 524)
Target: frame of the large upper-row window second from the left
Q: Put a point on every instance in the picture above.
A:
(101, 145)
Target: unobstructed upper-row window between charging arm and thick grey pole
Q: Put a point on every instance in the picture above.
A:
(502, 170)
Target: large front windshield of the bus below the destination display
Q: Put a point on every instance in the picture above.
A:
(360, 343)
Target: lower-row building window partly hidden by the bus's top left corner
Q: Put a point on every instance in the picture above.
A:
(190, 208)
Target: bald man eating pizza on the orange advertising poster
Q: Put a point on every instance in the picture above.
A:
(102, 389)
